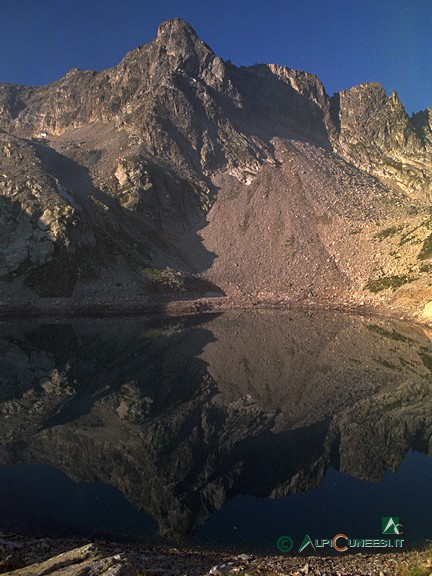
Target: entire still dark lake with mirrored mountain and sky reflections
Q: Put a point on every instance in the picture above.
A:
(221, 430)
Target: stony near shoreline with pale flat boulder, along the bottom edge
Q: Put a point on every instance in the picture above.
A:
(21, 556)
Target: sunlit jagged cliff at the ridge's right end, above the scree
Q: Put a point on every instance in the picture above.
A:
(376, 134)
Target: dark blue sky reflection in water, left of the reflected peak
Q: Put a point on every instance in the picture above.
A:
(39, 499)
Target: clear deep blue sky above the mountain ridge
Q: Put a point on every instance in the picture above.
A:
(344, 42)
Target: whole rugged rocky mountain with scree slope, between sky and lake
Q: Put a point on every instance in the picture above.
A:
(178, 174)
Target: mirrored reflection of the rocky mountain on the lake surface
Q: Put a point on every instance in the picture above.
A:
(178, 414)
